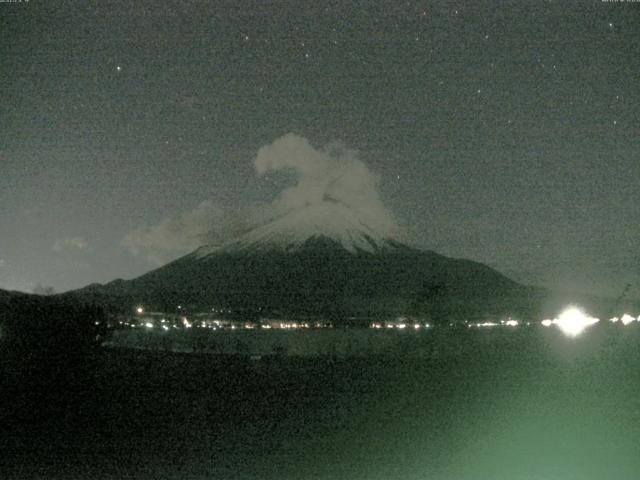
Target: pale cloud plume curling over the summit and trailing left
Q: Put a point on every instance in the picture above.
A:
(331, 174)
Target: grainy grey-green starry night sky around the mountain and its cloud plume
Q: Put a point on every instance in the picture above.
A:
(504, 132)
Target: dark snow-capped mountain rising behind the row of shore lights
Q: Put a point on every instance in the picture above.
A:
(321, 260)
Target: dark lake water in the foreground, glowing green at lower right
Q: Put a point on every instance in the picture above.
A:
(507, 404)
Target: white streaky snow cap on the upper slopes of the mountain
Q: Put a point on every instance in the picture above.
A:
(290, 232)
